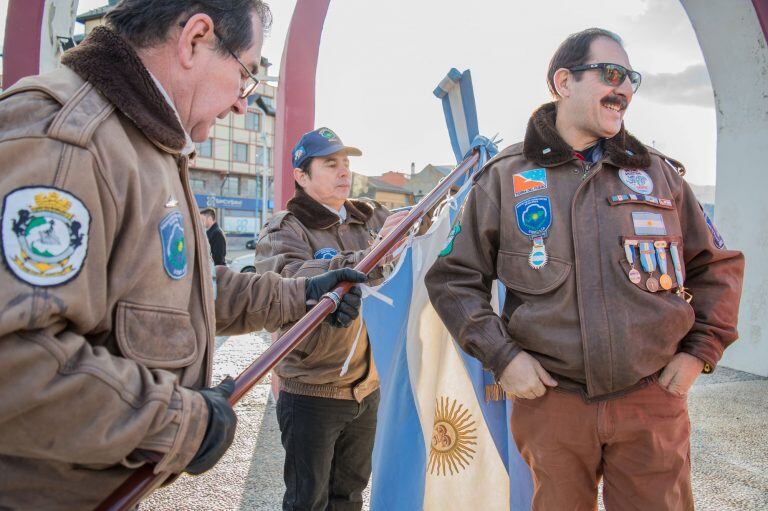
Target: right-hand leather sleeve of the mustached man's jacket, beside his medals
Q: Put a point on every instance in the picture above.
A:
(714, 277)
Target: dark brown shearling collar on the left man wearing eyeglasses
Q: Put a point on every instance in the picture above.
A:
(108, 62)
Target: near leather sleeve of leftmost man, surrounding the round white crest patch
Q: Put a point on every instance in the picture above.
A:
(62, 398)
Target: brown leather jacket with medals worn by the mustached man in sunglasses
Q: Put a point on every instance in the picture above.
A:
(580, 315)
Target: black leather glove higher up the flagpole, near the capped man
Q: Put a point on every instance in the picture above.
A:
(349, 307)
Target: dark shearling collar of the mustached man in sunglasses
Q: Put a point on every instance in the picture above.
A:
(544, 146)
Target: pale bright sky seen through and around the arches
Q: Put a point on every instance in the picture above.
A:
(380, 61)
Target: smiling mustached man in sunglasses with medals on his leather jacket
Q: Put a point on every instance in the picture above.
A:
(619, 291)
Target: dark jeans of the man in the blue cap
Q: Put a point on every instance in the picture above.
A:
(328, 445)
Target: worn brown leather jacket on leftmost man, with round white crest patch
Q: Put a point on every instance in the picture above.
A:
(99, 366)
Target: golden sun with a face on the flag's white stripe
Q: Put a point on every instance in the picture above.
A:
(452, 438)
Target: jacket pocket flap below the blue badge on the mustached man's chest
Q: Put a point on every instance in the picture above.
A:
(515, 273)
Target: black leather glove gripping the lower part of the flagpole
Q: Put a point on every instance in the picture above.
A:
(221, 427)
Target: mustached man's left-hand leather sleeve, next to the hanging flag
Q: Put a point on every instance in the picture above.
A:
(459, 284)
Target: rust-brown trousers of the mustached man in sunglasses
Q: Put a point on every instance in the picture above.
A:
(638, 443)
